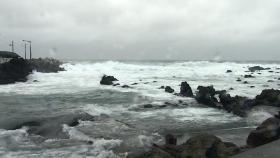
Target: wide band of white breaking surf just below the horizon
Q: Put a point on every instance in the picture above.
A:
(83, 76)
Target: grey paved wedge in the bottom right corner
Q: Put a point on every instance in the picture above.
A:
(271, 150)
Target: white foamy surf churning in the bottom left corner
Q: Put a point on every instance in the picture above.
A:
(17, 144)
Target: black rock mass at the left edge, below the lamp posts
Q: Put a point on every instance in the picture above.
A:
(16, 70)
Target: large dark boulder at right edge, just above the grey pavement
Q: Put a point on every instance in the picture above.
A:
(267, 132)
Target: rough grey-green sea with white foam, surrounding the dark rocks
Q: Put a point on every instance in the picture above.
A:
(122, 125)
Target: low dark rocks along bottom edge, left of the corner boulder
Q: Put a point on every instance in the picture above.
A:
(200, 146)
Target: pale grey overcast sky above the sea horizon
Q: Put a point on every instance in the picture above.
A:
(144, 29)
